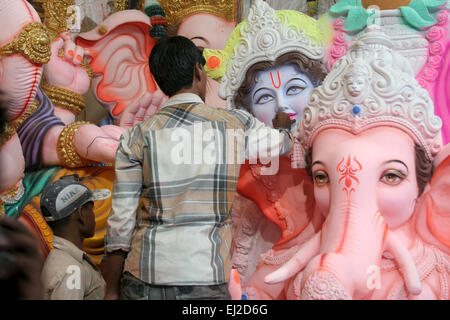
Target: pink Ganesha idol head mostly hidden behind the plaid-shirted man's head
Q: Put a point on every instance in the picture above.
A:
(121, 45)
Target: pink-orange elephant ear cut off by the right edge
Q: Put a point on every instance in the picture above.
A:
(433, 208)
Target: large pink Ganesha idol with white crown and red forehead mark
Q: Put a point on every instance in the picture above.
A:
(371, 144)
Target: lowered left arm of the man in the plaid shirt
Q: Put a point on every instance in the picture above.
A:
(125, 201)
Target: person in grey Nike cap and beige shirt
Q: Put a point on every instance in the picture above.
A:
(68, 273)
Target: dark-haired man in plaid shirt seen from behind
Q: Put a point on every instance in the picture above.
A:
(169, 231)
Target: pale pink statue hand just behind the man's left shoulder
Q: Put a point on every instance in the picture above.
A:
(142, 109)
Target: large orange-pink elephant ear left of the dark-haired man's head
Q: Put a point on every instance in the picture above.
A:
(120, 49)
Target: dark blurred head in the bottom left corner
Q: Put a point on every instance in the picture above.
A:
(20, 262)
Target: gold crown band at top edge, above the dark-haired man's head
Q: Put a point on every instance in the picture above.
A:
(176, 10)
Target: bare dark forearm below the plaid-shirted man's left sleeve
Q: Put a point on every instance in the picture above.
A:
(112, 272)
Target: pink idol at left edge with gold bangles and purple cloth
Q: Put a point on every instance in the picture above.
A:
(41, 119)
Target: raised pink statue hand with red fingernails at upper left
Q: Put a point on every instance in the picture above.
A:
(65, 71)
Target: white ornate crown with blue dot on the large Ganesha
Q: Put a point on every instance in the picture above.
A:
(372, 86)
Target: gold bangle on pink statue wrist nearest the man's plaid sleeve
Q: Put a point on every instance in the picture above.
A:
(66, 148)
